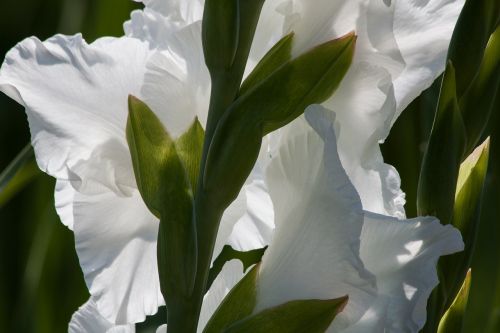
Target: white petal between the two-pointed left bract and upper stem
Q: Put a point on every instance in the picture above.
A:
(177, 83)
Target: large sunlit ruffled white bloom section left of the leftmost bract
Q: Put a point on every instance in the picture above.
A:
(76, 99)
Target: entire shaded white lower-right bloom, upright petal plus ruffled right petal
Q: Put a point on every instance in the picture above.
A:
(319, 250)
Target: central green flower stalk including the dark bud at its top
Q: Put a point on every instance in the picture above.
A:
(226, 75)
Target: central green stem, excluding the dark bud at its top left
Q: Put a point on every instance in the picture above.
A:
(183, 316)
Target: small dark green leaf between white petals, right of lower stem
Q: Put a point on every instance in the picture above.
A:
(247, 258)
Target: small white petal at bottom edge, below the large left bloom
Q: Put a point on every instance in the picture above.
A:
(88, 320)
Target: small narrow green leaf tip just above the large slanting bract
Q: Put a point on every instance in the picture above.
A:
(278, 55)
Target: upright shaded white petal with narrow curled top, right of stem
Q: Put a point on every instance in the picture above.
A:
(315, 248)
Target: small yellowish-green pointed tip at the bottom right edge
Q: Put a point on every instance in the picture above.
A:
(452, 321)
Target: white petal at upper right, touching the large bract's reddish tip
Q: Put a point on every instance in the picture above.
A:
(377, 60)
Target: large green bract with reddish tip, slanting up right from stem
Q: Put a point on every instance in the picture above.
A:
(308, 79)
